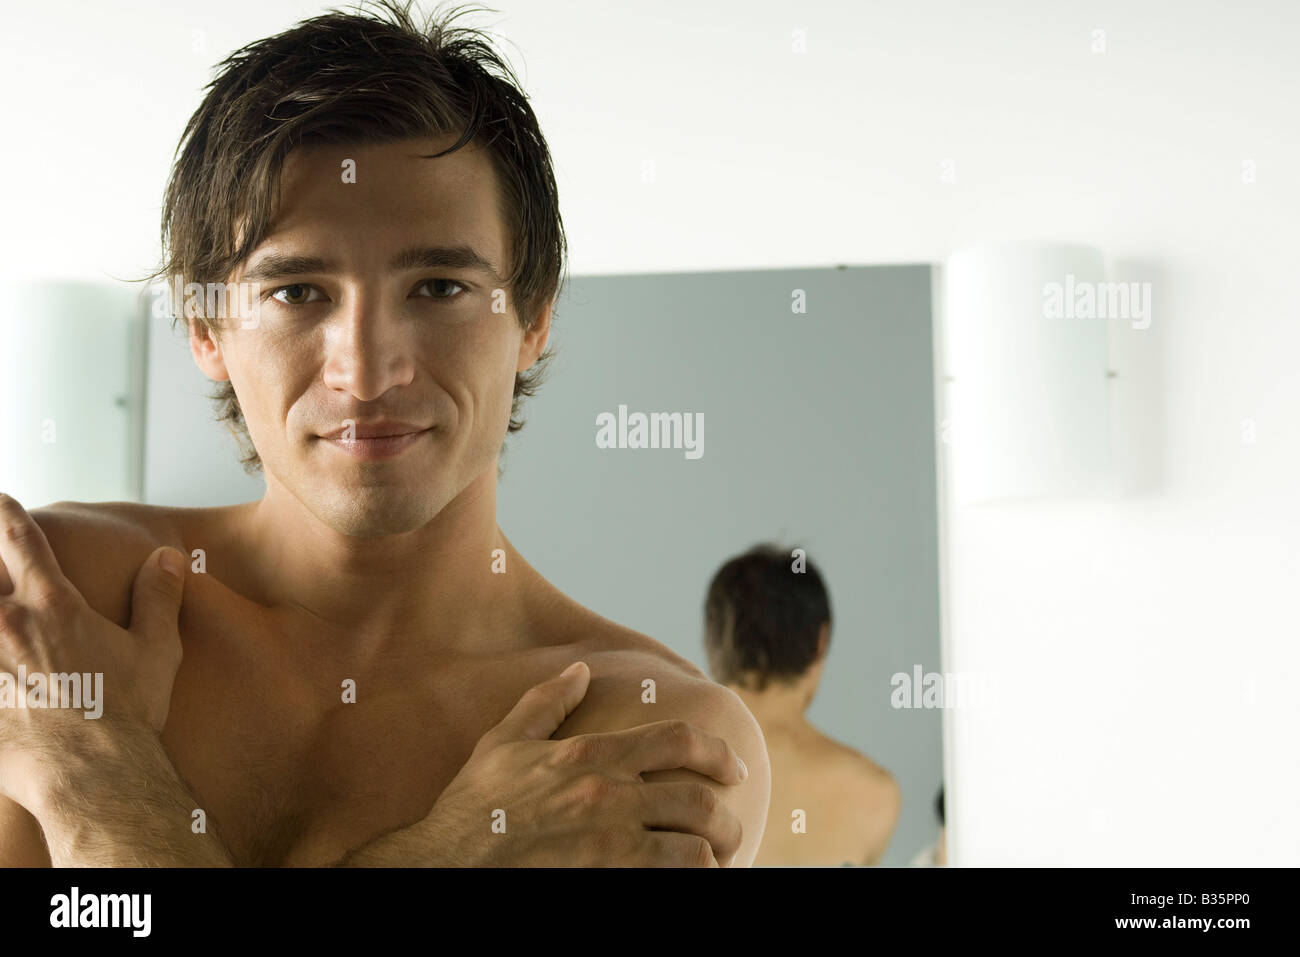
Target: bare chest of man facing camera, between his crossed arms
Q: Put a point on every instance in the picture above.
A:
(298, 754)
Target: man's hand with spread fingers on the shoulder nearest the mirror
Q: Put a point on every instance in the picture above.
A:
(578, 802)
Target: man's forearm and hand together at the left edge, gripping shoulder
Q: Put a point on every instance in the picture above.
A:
(103, 791)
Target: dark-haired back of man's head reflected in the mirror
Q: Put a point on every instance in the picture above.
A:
(764, 618)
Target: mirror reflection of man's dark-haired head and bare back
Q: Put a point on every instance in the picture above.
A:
(768, 627)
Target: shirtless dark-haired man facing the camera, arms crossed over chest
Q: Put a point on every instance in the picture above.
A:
(354, 643)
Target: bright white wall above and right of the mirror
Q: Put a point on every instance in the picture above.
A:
(765, 158)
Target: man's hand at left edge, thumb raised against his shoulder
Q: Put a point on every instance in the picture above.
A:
(47, 627)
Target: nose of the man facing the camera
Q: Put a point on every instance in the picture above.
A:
(367, 353)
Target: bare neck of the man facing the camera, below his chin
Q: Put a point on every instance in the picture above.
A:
(432, 587)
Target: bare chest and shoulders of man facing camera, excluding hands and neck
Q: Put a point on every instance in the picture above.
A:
(283, 768)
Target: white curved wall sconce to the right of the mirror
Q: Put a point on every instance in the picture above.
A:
(1026, 373)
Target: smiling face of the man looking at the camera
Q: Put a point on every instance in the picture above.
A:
(362, 336)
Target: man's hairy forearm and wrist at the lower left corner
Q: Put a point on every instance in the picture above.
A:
(109, 796)
